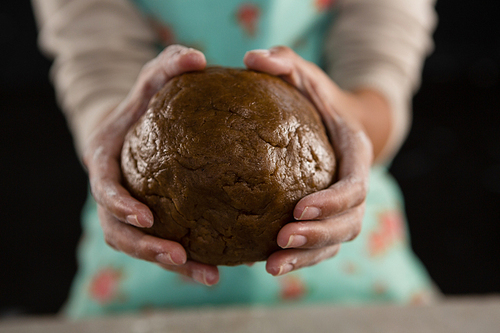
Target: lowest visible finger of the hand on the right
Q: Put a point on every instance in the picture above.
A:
(285, 261)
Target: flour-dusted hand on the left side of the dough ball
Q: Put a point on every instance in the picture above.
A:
(117, 210)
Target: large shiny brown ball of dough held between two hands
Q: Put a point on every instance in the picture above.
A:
(221, 157)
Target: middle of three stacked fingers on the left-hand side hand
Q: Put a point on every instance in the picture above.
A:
(137, 244)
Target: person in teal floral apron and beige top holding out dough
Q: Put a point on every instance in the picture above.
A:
(106, 69)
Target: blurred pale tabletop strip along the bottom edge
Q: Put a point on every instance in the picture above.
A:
(458, 315)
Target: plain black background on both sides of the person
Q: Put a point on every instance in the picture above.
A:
(449, 168)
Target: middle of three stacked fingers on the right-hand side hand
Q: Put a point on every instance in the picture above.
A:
(315, 234)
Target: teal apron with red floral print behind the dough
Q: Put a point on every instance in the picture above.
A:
(377, 266)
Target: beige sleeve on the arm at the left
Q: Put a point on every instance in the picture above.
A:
(98, 47)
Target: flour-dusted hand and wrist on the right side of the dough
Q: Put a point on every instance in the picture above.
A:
(332, 216)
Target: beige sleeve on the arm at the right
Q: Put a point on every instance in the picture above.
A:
(382, 45)
